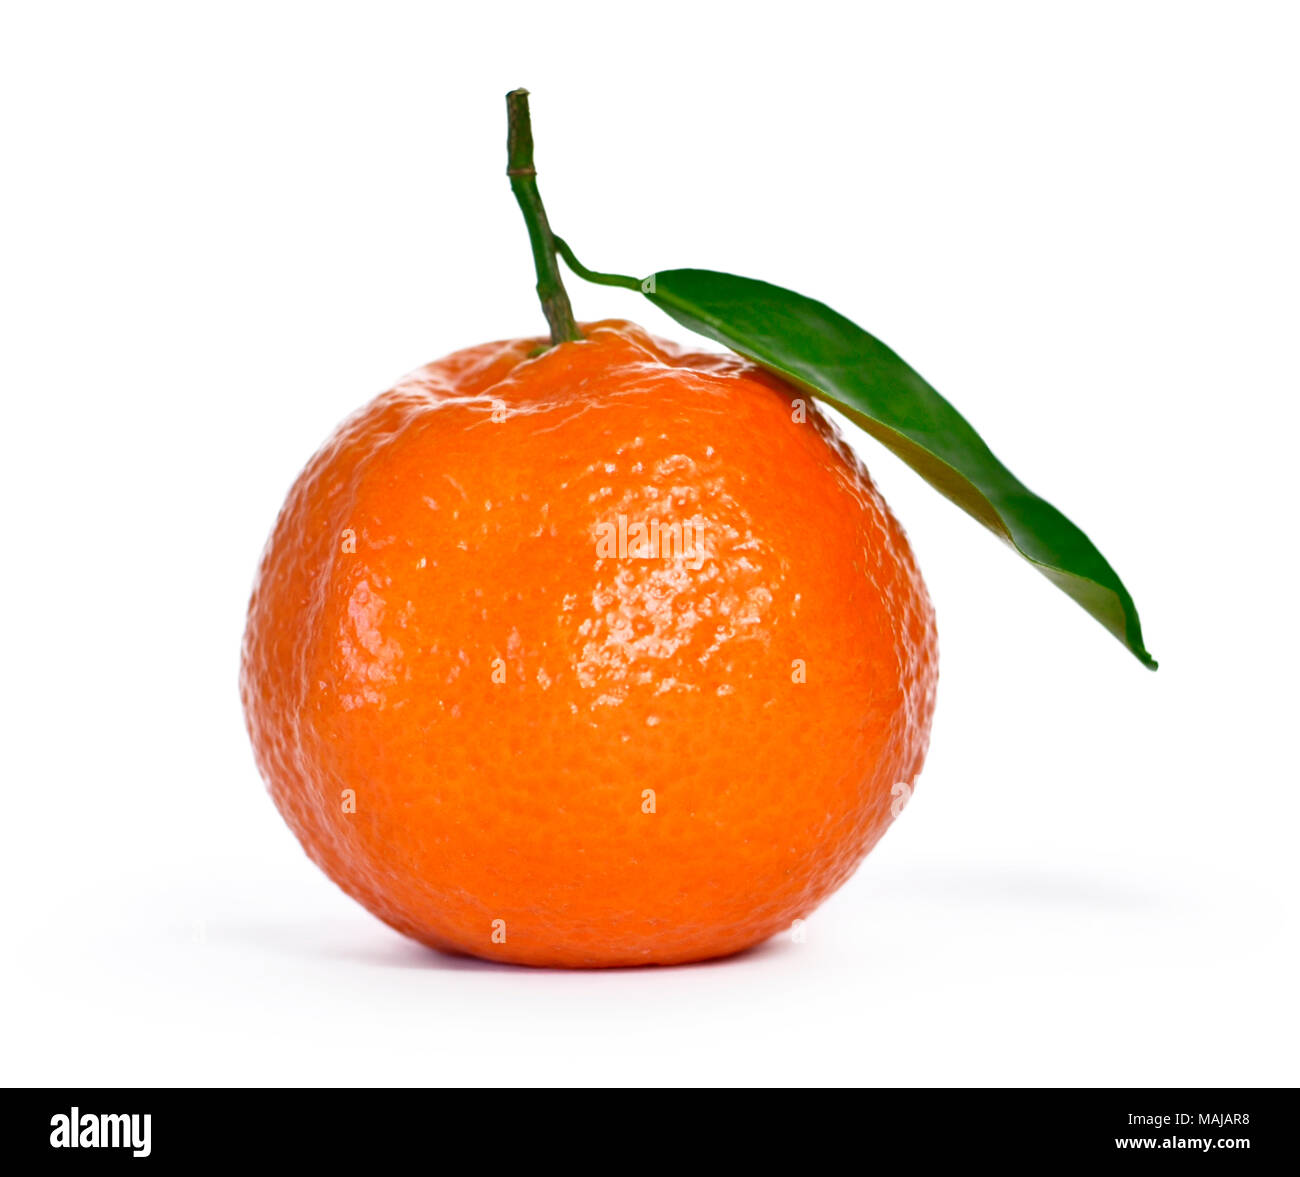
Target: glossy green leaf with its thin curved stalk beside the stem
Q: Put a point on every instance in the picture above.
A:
(820, 350)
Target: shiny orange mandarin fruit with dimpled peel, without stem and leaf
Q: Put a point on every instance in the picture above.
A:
(500, 695)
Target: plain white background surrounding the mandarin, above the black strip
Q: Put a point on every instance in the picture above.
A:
(226, 227)
